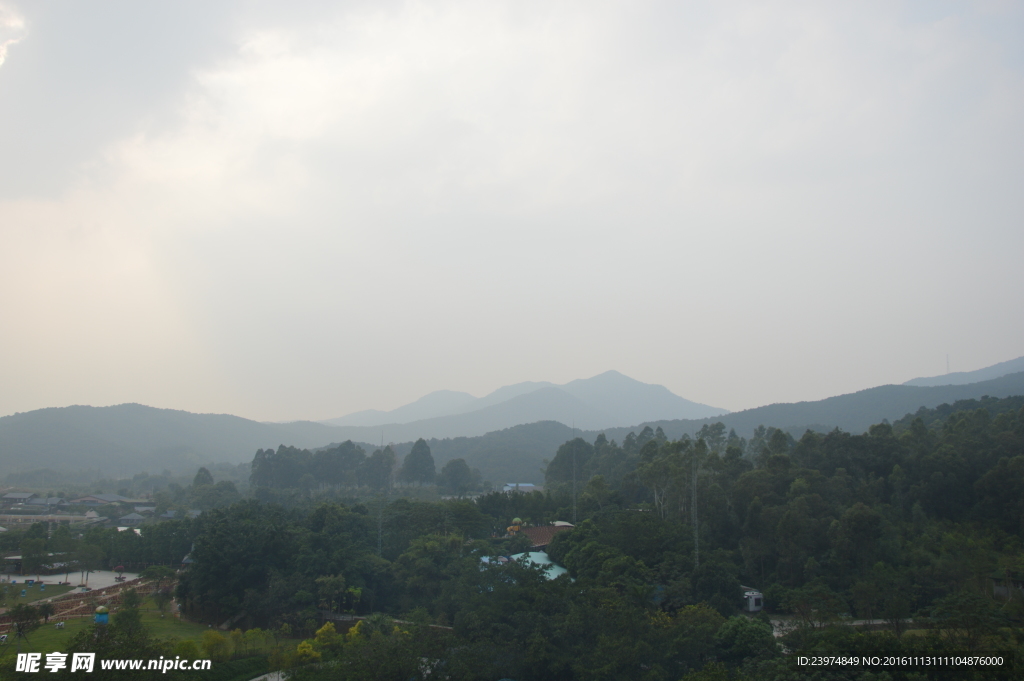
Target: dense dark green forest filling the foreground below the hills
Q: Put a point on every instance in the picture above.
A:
(910, 525)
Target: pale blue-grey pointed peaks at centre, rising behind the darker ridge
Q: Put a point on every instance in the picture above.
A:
(606, 401)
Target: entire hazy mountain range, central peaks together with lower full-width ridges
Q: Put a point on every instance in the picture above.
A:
(508, 440)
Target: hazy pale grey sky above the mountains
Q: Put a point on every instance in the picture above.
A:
(304, 212)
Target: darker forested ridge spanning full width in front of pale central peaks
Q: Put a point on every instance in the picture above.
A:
(132, 439)
